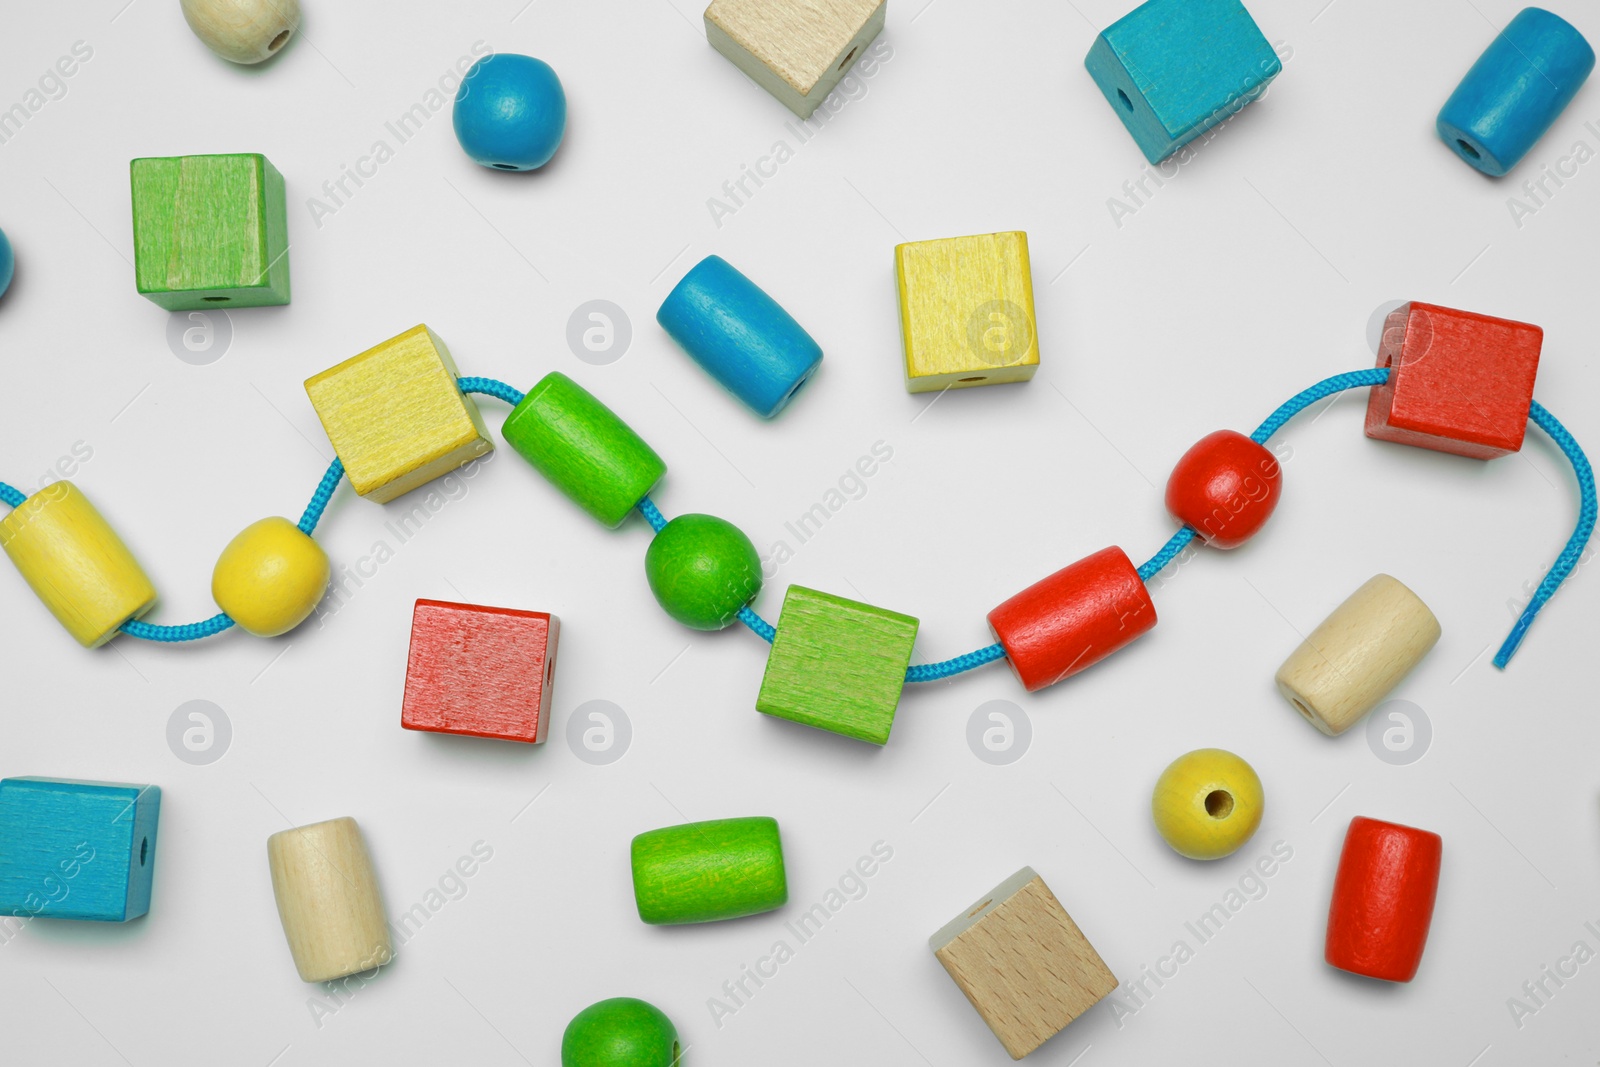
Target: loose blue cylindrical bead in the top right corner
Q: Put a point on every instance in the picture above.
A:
(1516, 90)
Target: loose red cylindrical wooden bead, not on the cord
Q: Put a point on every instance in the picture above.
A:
(1383, 900)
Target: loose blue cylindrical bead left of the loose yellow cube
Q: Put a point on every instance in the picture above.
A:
(740, 335)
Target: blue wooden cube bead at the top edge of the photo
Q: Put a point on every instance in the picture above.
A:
(1172, 70)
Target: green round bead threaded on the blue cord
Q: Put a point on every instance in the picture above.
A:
(703, 570)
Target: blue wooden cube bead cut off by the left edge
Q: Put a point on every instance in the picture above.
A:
(78, 850)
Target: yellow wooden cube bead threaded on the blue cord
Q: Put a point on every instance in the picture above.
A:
(396, 417)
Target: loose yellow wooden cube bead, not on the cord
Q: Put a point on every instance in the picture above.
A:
(967, 311)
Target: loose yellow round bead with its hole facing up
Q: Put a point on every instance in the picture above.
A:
(1207, 804)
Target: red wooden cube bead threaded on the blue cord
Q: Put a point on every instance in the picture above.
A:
(1458, 383)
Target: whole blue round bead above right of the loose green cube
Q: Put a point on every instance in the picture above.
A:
(511, 113)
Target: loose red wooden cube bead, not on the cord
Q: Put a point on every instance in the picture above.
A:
(481, 671)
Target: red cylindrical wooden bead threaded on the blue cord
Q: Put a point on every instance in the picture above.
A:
(1074, 618)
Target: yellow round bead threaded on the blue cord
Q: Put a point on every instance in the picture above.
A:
(270, 578)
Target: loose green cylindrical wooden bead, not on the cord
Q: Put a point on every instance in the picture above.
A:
(702, 873)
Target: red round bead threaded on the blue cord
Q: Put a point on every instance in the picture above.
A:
(1226, 487)
